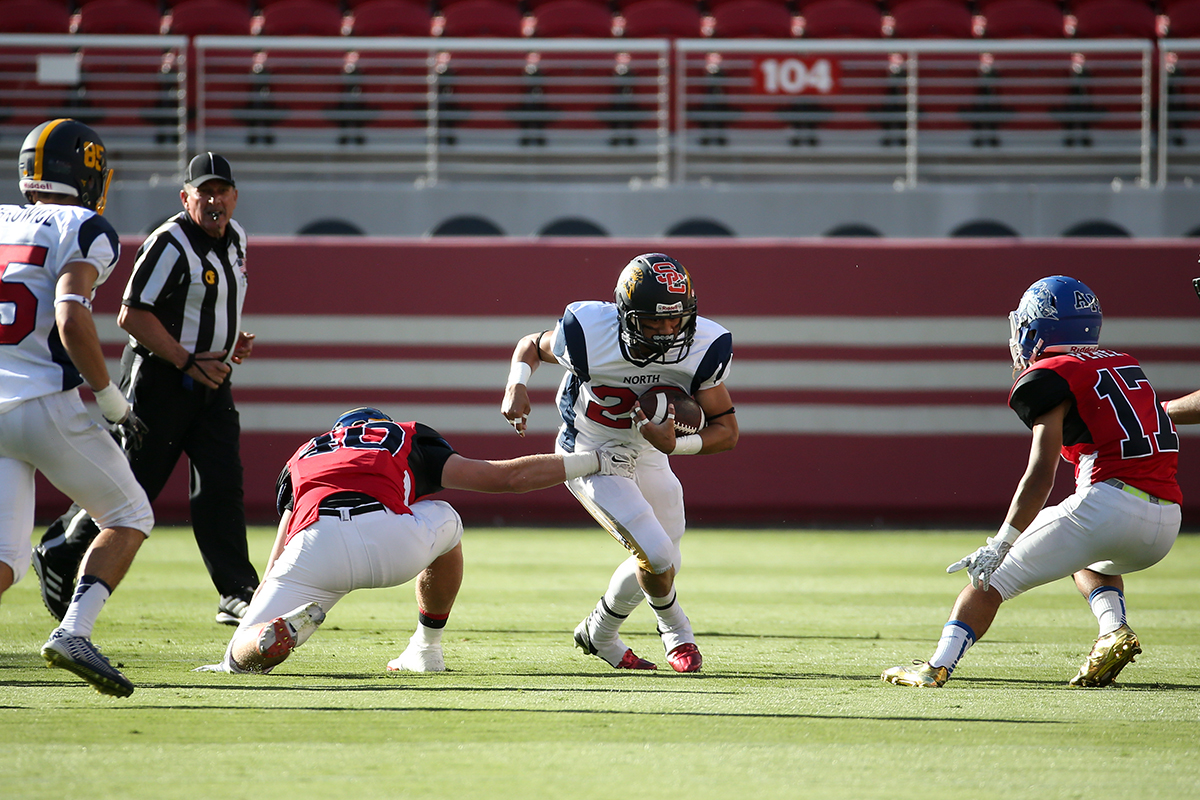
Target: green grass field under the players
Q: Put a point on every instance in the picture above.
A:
(795, 627)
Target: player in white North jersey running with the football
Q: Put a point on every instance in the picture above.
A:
(614, 352)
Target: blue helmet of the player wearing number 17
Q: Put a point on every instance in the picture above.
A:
(1057, 315)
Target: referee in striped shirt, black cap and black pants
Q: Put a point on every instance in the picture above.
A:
(183, 312)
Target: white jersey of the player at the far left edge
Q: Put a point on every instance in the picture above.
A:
(37, 242)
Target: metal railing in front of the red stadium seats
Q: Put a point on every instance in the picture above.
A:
(437, 110)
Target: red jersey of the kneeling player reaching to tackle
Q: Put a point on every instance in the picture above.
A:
(373, 459)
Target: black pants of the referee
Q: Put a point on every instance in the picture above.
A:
(184, 418)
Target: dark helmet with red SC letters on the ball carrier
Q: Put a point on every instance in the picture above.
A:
(655, 286)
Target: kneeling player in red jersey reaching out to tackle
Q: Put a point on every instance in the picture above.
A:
(355, 514)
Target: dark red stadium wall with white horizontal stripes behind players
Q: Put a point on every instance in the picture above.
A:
(871, 377)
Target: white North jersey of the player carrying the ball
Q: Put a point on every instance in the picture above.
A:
(598, 393)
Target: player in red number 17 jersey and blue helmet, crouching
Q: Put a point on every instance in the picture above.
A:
(1099, 411)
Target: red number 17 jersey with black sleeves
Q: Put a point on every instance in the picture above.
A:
(1115, 426)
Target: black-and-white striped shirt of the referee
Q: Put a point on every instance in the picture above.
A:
(194, 284)
